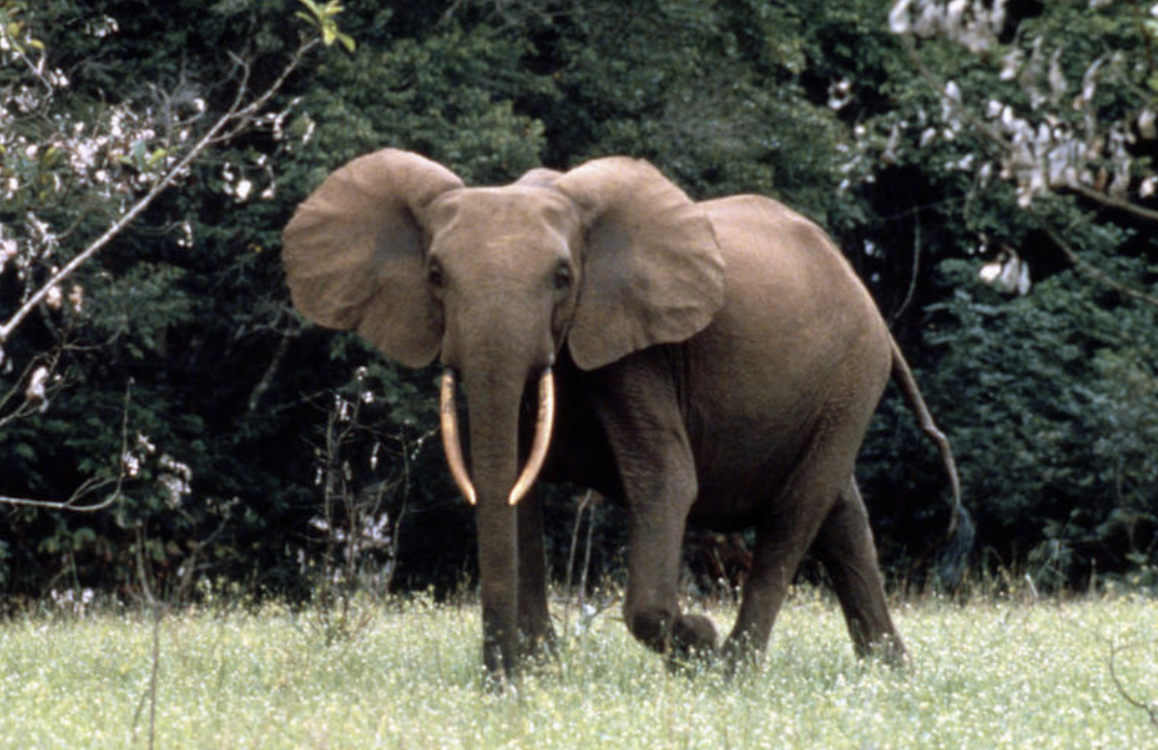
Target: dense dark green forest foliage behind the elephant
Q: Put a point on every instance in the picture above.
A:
(228, 435)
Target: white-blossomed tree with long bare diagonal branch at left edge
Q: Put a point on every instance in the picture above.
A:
(84, 157)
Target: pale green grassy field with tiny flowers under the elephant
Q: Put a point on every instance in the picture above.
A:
(992, 674)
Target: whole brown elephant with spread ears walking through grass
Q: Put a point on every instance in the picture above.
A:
(710, 363)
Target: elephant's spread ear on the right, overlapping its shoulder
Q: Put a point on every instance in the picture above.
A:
(654, 273)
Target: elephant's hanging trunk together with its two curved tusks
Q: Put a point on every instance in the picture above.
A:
(495, 484)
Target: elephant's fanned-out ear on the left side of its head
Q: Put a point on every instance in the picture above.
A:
(354, 253)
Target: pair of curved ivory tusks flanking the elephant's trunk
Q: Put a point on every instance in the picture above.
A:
(452, 444)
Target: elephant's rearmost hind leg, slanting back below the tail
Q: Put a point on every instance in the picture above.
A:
(846, 548)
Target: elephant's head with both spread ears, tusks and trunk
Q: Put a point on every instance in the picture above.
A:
(605, 260)
